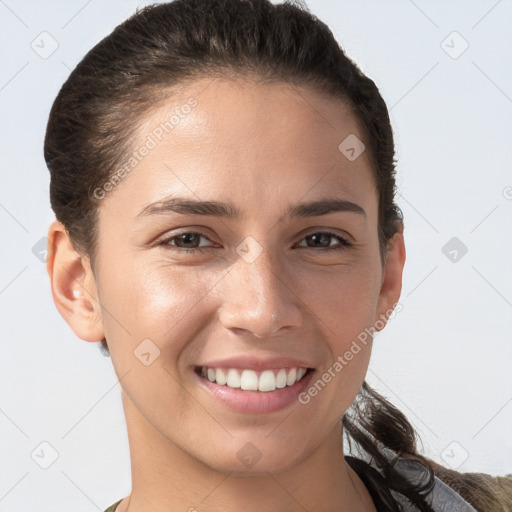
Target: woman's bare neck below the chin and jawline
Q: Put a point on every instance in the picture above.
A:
(165, 478)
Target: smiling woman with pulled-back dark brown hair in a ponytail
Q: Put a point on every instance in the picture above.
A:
(223, 181)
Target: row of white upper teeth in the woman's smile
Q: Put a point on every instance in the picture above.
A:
(248, 380)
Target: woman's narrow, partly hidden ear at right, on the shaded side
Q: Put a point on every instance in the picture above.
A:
(391, 285)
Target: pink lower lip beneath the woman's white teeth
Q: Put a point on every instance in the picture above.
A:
(256, 402)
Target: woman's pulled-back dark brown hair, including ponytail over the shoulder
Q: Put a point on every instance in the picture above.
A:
(135, 68)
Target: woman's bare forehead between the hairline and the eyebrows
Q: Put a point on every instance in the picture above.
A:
(238, 138)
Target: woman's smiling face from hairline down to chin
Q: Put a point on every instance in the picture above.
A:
(258, 285)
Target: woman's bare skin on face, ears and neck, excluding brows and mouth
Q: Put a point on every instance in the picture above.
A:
(262, 147)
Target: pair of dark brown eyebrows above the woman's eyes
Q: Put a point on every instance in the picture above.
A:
(230, 211)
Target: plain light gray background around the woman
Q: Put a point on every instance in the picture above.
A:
(445, 360)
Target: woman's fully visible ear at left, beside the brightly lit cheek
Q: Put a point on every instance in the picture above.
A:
(73, 285)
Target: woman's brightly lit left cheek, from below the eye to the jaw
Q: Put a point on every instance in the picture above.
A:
(156, 314)
